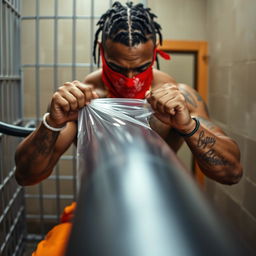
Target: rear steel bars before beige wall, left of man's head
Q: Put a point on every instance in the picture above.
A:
(57, 42)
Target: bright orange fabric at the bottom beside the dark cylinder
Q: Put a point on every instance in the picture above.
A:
(56, 239)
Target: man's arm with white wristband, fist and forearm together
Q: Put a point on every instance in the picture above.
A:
(37, 154)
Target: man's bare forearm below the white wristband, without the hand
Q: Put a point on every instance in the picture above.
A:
(34, 156)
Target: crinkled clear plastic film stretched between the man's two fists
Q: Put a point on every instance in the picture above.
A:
(107, 124)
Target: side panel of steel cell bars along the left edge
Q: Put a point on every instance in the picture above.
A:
(12, 214)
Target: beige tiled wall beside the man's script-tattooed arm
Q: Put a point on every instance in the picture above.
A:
(231, 28)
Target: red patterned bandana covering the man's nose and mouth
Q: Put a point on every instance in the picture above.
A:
(121, 86)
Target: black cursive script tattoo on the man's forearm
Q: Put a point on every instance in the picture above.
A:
(210, 156)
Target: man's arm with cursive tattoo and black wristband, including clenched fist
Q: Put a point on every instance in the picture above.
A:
(217, 155)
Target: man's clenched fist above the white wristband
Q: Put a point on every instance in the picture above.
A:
(67, 100)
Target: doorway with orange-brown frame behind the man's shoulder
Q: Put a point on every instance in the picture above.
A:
(189, 66)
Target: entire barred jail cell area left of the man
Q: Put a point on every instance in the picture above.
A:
(29, 31)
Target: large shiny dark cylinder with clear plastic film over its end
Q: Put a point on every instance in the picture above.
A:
(135, 198)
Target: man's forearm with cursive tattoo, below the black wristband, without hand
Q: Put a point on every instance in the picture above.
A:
(217, 155)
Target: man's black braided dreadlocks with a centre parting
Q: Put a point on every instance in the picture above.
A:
(129, 25)
